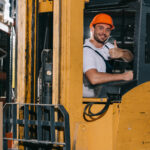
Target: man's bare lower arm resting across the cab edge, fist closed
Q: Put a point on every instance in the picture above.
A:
(96, 77)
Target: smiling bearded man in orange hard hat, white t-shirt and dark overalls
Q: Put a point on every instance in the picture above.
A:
(96, 53)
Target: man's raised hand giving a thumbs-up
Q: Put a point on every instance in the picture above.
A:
(115, 52)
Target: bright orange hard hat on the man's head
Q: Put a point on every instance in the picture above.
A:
(102, 18)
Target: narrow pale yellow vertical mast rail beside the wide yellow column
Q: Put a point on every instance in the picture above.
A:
(56, 51)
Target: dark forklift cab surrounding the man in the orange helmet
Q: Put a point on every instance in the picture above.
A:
(132, 21)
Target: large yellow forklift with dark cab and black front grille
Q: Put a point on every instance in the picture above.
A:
(48, 110)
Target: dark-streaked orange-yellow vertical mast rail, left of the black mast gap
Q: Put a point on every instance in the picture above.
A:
(30, 51)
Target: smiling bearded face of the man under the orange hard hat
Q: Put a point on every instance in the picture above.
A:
(101, 32)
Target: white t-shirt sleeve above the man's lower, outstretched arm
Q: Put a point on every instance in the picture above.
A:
(88, 60)
